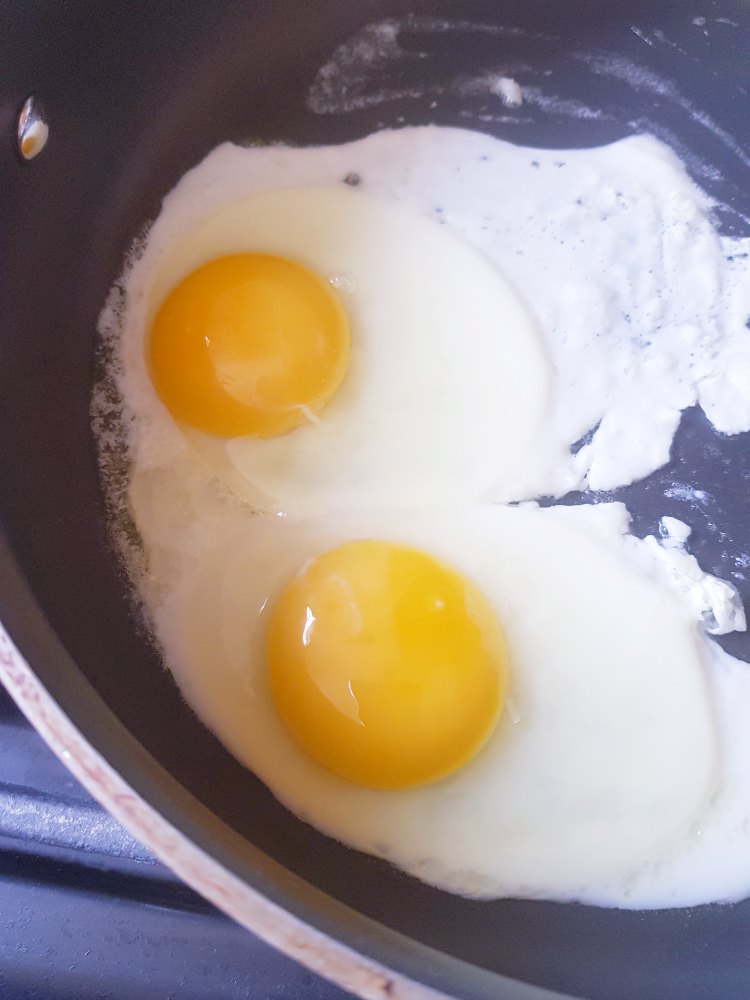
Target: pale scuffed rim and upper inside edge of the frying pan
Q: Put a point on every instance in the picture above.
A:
(326, 936)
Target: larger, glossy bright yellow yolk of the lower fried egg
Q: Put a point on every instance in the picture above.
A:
(388, 668)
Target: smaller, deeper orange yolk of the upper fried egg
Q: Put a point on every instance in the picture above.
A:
(248, 344)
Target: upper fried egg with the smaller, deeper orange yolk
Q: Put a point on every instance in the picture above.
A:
(321, 348)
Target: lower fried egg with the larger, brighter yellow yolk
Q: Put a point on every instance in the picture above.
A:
(602, 755)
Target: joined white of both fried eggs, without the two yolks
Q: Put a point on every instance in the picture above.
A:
(578, 795)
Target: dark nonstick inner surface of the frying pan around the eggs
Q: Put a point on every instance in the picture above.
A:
(136, 94)
